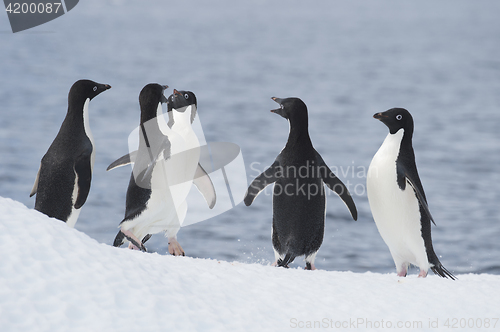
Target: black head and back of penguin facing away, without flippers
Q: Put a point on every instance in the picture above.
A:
(298, 199)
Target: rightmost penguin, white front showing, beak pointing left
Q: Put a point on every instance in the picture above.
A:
(397, 199)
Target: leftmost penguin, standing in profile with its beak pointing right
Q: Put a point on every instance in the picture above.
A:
(63, 180)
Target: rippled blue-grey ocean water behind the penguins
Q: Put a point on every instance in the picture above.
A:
(345, 60)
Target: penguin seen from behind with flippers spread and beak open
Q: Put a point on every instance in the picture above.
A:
(299, 203)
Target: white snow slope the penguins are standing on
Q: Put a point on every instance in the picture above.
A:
(56, 278)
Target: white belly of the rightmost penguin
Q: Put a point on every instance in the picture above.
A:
(395, 211)
